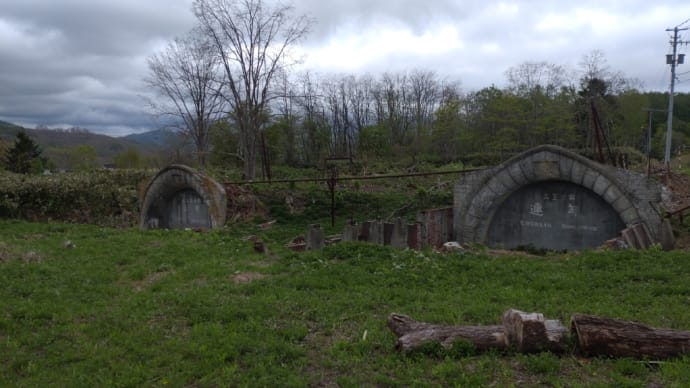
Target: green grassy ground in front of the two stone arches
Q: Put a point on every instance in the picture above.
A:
(89, 306)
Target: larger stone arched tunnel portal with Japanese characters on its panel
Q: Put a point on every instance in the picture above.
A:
(549, 197)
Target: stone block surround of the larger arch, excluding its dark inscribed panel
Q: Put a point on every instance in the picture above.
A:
(479, 195)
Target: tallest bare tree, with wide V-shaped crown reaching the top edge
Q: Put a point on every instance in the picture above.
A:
(252, 40)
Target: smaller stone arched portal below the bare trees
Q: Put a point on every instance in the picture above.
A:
(181, 197)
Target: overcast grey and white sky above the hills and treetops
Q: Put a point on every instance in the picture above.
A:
(67, 63)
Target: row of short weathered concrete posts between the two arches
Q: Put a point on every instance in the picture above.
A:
(432, 228)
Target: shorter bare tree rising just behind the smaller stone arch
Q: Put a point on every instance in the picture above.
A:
(186, 74)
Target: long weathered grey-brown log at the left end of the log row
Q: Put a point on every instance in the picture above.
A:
(412, 334)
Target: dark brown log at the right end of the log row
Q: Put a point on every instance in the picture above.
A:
(619, 338)
